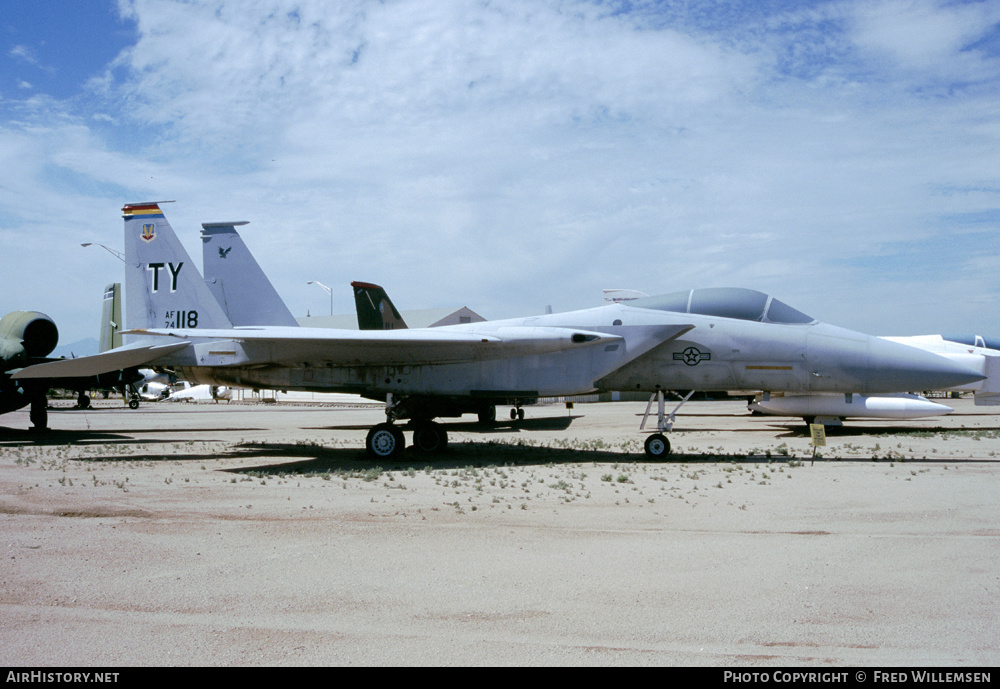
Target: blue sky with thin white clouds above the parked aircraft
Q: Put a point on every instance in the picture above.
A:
(510, 156)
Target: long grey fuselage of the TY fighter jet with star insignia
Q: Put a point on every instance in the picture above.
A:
(716, 353)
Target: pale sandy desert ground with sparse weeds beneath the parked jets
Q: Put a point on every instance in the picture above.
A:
(240, 534)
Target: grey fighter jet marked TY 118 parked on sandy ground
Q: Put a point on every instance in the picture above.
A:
(709, 339)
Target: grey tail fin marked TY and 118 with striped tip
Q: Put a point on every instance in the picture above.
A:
(163, 288)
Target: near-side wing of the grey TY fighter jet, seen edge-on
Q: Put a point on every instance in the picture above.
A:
(415, 344)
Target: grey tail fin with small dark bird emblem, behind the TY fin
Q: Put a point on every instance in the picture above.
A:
(236, 280)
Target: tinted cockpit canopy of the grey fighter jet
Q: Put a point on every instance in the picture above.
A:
(727, 302)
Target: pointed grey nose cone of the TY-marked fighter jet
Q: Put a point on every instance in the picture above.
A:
(897, 367)
